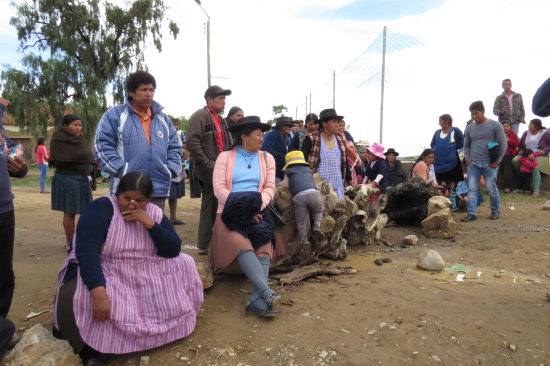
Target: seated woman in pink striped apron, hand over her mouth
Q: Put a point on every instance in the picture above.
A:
(125, 286)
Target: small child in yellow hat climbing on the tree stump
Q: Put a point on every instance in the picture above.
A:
(307, 199)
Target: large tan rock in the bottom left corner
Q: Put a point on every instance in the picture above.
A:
(38, 347)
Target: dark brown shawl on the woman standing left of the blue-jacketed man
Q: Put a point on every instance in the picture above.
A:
(68, 148)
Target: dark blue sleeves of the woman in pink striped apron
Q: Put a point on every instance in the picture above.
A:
(91, 233)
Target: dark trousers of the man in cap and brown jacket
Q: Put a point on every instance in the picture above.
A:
(209, 206)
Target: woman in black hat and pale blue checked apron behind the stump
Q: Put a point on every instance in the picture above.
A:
(325, 152)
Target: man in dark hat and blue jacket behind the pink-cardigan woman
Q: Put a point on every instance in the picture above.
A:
(275, 143)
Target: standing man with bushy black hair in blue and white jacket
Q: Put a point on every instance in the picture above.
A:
(138, 136)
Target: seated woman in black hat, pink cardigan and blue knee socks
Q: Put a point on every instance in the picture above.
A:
(244, 184)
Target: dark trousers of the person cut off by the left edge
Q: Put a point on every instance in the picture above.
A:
(7, 278)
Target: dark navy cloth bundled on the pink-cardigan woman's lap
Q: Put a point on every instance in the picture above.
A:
(238, 214)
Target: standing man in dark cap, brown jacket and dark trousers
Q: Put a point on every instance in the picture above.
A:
(207, 137)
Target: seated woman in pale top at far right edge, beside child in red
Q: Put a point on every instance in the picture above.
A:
(536, 138)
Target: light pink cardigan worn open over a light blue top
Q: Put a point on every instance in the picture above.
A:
(222, 178)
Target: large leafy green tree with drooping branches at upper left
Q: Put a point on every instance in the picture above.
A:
(85, 50)
